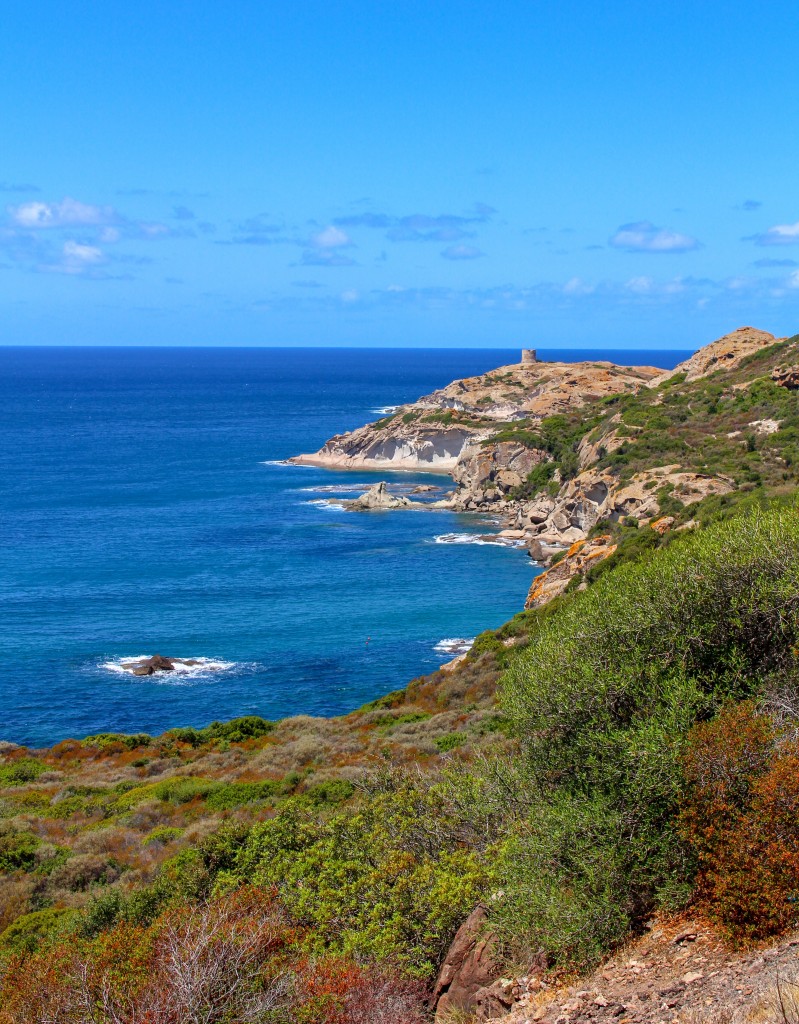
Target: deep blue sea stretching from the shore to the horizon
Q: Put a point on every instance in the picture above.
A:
(144, 509)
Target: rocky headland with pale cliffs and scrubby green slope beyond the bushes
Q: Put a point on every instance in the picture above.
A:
(560, 450)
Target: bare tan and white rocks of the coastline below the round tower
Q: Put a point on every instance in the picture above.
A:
(486, 433)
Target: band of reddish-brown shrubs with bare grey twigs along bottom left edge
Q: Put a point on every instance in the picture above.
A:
(235, 959)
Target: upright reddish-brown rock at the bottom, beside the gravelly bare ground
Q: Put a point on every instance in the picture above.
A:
(470, 967)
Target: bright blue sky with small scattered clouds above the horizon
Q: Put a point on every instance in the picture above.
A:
(564, 175)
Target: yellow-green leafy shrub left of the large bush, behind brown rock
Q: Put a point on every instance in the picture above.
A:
(386, 881)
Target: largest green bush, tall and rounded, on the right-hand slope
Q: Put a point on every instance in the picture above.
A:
(605, 694)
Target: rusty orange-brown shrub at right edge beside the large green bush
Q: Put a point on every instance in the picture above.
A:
(742, 820)
